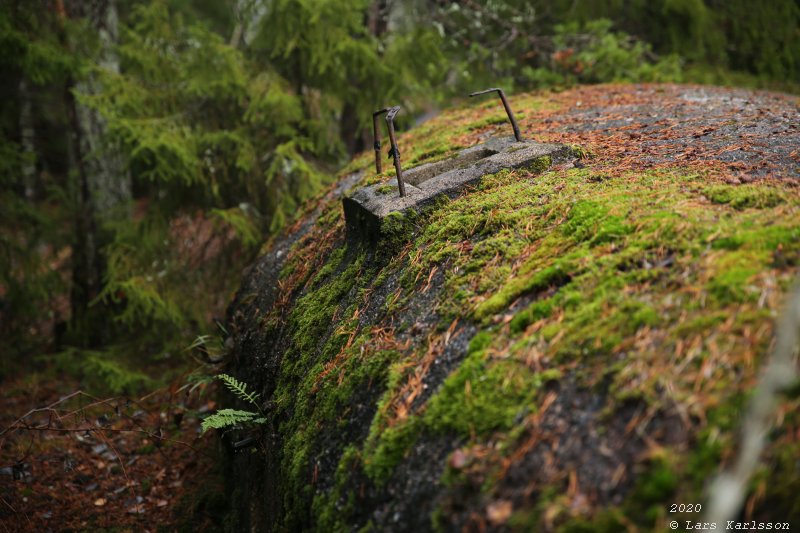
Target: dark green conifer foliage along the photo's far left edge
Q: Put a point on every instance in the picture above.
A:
(32, 199)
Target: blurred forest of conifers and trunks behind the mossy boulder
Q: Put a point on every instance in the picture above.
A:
(149, 148)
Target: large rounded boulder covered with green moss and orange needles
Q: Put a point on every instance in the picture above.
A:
(551, 348)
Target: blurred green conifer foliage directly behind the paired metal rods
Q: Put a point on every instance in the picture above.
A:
(346, 61)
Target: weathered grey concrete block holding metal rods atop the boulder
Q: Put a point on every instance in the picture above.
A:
(366, 208)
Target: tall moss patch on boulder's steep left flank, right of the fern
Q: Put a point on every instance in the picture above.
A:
(312, 394)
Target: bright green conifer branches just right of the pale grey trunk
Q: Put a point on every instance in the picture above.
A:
(198, 121)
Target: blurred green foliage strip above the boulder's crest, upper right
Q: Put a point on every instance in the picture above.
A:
(521, 41)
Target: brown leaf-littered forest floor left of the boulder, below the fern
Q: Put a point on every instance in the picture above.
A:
(70, 461)
